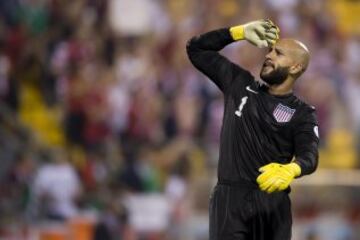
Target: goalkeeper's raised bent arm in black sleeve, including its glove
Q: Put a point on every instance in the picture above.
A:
(203, 50)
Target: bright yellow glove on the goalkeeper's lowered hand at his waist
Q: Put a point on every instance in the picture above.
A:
(277, 177)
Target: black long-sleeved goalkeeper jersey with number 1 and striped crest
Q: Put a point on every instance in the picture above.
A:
(258, 128)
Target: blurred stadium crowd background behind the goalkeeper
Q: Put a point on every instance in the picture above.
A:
(108, 132)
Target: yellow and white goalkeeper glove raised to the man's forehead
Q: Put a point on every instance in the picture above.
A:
(261, 33)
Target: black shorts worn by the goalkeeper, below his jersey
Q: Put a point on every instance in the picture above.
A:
(243, 212)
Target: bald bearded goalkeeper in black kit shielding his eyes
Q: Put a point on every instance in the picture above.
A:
(269, 136)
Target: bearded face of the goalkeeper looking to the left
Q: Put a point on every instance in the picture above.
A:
(276, 66)
